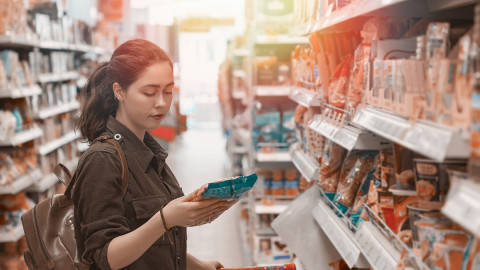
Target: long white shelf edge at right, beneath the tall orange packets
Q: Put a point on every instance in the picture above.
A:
(429, 139)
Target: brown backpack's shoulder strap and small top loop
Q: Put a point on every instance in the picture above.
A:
(104, 138)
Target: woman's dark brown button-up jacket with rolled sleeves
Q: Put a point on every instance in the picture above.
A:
(101, 213)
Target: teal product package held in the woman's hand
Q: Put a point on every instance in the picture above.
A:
(226, 189)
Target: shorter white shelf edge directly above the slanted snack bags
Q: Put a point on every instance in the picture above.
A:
(348, 137)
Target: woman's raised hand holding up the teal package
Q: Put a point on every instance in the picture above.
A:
(187, 212)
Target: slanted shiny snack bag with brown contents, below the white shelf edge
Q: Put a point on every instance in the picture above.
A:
(348, 185)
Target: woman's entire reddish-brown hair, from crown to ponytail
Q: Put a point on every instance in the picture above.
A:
(128, 61)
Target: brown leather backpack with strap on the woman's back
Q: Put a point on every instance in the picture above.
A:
(49, 226)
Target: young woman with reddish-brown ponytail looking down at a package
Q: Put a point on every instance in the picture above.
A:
(145, 229)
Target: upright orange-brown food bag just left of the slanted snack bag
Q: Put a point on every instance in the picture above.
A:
(332, 159)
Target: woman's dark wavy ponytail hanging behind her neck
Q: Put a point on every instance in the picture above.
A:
(98, 103)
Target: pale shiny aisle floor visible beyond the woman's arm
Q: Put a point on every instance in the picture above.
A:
(196, 157)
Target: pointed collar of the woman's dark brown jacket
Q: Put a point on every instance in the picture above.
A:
(142, 152)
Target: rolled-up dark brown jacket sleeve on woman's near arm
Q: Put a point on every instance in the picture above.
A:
(99, 205)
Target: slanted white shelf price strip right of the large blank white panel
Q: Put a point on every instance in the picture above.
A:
(338, 233)
